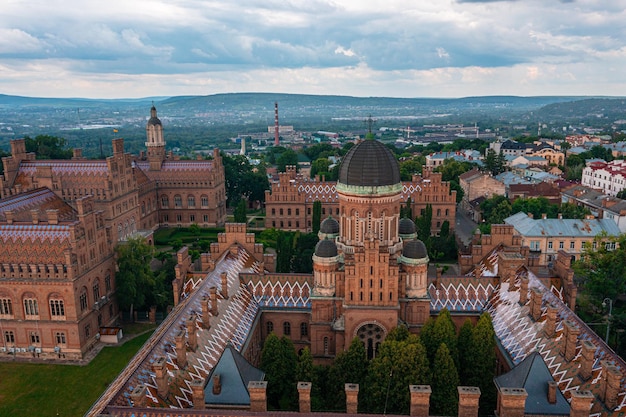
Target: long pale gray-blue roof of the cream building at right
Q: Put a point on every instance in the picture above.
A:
(561, 227)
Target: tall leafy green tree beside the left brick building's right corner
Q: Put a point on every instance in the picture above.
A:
(134, 279)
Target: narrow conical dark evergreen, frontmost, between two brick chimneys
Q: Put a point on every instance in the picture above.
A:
(444, 383)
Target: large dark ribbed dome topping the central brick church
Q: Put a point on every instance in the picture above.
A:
(369, 164)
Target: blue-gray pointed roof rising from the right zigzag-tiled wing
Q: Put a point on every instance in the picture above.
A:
(533, 375)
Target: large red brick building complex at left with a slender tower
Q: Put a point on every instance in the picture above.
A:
(60, 221)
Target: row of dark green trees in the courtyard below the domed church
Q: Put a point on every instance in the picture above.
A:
(439, 357)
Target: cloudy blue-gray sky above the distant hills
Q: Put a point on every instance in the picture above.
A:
(394, 48)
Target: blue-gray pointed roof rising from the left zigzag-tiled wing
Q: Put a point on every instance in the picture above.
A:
(235, 372)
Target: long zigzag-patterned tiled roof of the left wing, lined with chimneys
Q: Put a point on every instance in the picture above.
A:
(235, 319)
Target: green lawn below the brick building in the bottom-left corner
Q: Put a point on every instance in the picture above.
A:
(61, 390)
